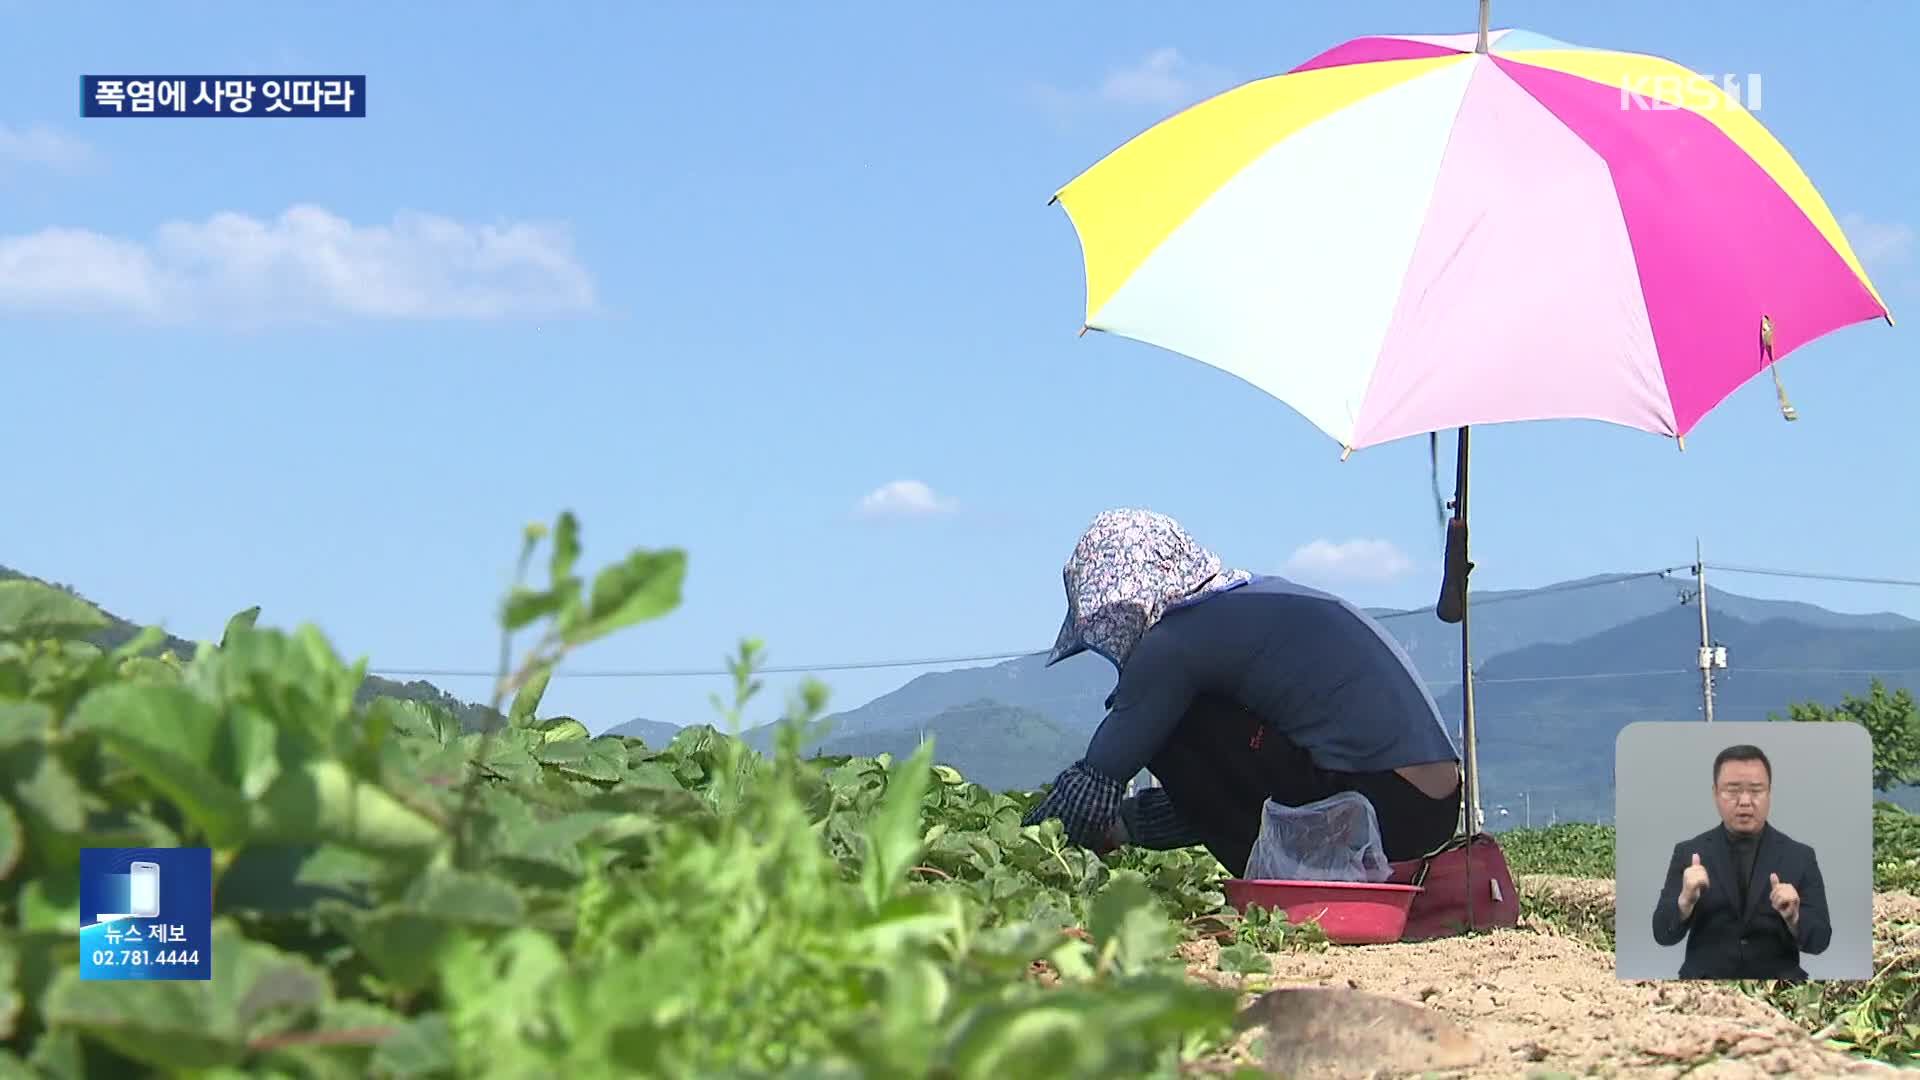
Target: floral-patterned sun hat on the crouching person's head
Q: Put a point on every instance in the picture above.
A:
(1128, 570)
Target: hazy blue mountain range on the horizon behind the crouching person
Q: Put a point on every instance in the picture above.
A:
(1558, 674)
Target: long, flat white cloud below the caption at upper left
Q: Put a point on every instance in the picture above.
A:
(299, 268)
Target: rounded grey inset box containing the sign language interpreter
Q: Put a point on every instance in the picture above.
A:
(1744, 850)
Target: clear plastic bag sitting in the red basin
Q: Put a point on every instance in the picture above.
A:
(1332, 841)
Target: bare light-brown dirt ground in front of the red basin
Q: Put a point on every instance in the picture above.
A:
(1539, 1002)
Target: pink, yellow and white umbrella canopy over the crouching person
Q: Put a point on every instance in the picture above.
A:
(1404, 235)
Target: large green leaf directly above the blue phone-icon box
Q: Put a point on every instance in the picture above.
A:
(180, 745)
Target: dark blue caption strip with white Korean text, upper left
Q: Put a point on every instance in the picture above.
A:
(224, 95)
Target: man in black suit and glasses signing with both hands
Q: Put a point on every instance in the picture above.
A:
(1746, 898)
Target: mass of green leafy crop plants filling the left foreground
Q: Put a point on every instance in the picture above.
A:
(398, 896)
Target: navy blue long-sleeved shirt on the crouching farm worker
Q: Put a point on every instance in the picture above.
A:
(1308, 664)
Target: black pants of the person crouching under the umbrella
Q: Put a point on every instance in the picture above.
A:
(1222, 766)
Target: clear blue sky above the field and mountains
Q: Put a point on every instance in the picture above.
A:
(709, 280)
